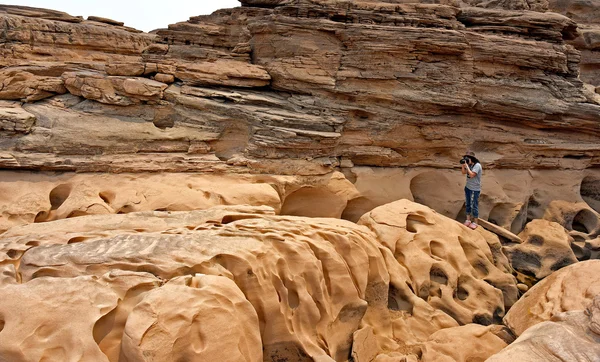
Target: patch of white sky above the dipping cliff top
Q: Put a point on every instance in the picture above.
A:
(145, 15)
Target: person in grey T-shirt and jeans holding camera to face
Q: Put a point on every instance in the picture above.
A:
(472, 168)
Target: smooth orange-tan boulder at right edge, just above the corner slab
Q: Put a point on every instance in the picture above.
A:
(569, 289)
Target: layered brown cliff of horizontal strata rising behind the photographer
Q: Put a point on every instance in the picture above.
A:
(376, 84)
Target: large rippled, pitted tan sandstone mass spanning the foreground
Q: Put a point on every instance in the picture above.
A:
(280, 278)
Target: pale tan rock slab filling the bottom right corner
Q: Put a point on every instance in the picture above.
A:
(569, 336)
